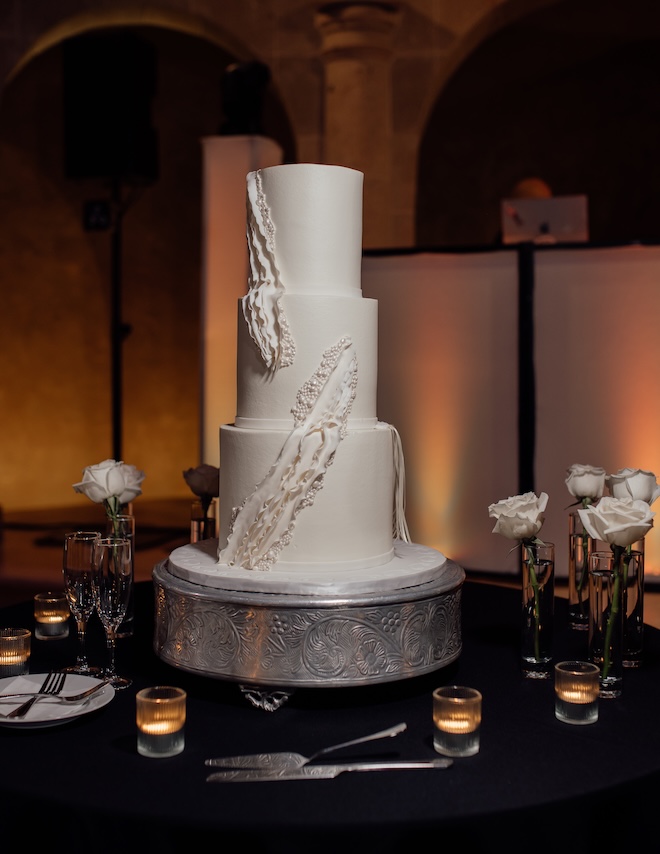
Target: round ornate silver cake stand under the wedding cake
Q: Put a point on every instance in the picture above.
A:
(272, 644)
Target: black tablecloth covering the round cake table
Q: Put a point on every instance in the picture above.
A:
(536, 784)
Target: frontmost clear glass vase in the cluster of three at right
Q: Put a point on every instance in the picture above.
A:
(606, 620)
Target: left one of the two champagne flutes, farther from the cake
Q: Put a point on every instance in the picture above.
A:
(77, 572)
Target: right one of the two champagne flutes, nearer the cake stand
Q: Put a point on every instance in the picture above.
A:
(112, 580)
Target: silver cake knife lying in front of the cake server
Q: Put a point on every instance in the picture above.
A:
(320, 772)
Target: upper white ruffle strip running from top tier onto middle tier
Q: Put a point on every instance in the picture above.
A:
(262, 309)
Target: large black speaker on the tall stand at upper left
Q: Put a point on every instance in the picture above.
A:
(109, 81)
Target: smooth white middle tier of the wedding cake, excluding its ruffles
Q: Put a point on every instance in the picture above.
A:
(264, 399)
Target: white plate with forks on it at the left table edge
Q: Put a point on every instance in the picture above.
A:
(48, 711)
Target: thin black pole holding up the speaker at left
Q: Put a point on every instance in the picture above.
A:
(116, 324)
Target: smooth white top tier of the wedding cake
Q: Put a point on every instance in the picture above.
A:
(316, 249)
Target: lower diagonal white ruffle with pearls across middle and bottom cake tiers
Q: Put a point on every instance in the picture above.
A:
(264, 524)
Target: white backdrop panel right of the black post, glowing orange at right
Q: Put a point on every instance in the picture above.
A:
(597, 366)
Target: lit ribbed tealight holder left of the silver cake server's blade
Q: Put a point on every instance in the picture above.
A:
(161, 718)
